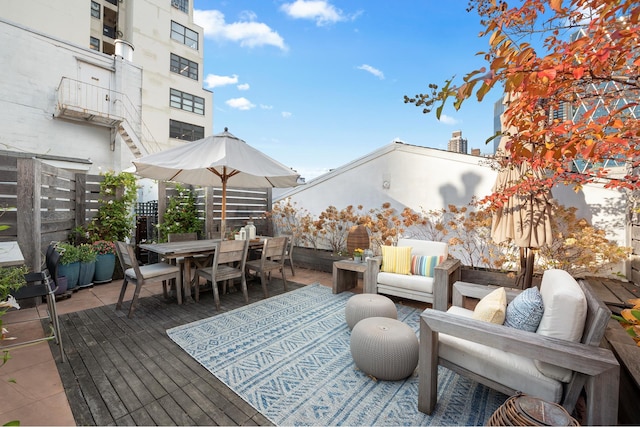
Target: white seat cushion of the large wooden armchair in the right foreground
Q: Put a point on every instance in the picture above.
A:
(517, 372)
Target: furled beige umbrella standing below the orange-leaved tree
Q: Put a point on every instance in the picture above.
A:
(524, 218)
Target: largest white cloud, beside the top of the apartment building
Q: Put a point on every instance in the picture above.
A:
(247, 32)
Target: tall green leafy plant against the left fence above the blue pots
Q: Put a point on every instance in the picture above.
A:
(115, 218)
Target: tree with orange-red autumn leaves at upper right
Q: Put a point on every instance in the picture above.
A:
(589, 63)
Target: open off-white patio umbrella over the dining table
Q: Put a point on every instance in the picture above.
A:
(217, 161)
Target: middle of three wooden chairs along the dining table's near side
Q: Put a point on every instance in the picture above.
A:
(228, 263)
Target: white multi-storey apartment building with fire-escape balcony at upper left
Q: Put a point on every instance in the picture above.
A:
(91, 84)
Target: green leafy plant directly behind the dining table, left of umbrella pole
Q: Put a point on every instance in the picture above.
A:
(181, 215)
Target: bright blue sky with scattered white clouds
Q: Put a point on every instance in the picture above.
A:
(317, 84)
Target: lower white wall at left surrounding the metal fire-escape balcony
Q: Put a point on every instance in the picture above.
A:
(34, 66)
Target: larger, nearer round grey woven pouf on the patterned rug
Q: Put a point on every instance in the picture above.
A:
(384, 348)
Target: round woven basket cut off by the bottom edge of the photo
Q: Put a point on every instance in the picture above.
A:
(523, 410)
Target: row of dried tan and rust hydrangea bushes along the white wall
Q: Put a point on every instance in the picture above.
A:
(577, 247)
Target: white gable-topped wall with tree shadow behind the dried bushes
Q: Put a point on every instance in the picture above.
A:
(427, 178)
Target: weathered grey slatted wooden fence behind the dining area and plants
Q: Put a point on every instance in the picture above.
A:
(42, 203)
